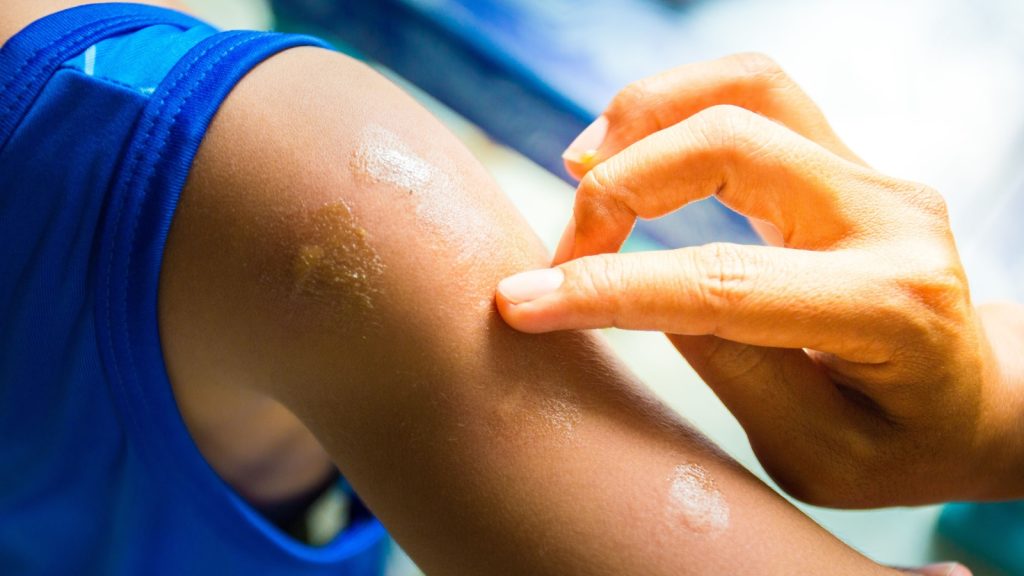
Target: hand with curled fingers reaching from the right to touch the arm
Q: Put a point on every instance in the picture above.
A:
(850, 352)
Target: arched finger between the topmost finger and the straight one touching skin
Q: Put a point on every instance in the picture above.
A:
(753, 166)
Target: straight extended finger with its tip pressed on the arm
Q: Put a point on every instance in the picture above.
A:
(738, 293)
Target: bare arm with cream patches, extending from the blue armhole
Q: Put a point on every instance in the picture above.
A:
(336, 250)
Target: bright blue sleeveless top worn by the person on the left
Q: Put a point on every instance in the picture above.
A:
(102, 111)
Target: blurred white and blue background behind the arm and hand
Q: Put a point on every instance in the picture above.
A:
(928, 91)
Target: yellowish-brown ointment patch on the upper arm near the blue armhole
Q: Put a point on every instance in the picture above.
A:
(337, 266)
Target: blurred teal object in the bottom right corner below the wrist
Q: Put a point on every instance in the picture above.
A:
(994, 531)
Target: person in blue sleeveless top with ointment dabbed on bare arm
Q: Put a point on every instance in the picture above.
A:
(236, 262)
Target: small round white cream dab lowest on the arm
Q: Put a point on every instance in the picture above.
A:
(696, 499)
